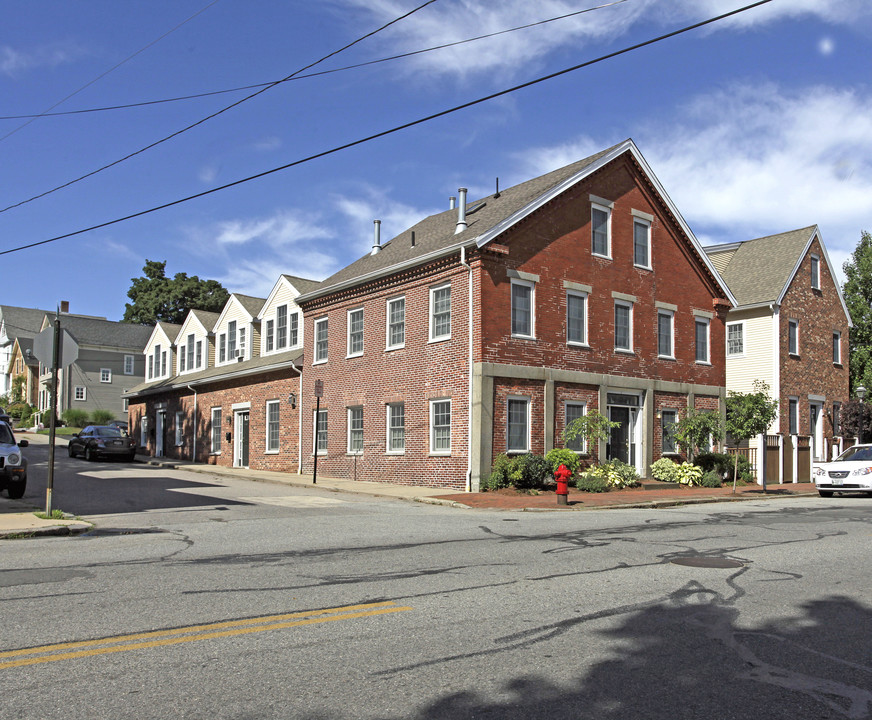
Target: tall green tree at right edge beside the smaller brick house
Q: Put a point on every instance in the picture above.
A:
(858, 297)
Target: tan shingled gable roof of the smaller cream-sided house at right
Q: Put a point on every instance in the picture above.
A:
(760, 271)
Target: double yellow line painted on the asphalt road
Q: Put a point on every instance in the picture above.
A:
(103, 646)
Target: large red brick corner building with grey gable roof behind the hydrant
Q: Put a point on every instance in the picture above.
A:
(486, 328)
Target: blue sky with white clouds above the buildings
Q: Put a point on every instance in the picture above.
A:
(758, 124)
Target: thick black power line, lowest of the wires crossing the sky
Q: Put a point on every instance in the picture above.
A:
(395, 129)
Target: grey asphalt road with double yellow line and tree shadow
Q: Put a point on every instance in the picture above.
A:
(231, 599)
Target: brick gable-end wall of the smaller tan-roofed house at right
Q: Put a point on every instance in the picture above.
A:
(819, 313)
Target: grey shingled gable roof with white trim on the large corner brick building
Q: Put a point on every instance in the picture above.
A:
(489, 217)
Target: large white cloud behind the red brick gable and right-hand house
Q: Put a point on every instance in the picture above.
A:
(750, 161)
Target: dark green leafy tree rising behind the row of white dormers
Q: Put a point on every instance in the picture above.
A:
(157, 298)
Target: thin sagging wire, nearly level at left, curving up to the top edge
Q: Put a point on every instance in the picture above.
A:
(401, 56)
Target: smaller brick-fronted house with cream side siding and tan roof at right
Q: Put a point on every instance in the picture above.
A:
(789, 329)
